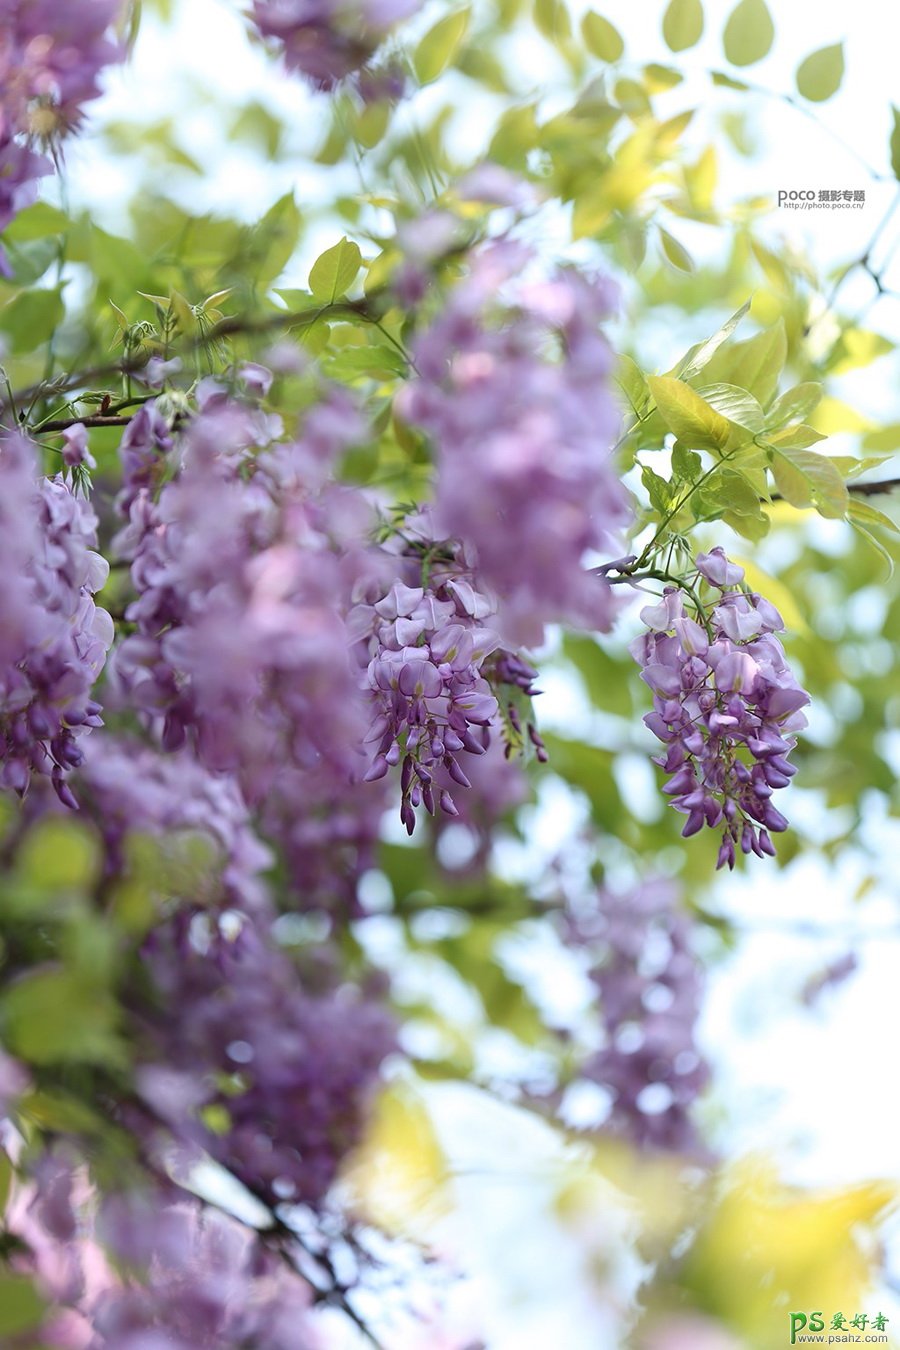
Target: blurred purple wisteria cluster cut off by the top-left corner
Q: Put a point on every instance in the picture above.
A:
(51, 60)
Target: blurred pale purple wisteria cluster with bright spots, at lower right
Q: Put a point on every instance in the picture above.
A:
(650, 986)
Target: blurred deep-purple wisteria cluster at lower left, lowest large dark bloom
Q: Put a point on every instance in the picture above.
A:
(288, 1071)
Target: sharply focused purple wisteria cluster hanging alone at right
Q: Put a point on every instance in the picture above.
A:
(725, 705)
